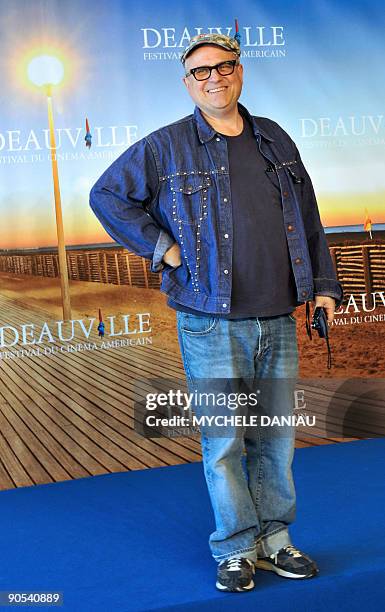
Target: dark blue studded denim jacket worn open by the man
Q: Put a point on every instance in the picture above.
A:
(174, 186)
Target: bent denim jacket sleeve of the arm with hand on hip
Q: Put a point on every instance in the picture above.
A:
(120, 198)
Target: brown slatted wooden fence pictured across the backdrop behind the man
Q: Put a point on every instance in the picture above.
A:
(360, 268)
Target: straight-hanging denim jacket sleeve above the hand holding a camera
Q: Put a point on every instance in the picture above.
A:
(324, 274)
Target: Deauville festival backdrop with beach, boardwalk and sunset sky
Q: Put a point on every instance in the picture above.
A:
(68, 387)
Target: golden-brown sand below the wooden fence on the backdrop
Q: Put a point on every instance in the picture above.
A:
(358, 349)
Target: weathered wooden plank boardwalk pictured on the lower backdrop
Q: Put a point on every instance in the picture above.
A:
(71, 415)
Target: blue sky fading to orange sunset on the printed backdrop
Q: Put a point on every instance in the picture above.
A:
(326, 88)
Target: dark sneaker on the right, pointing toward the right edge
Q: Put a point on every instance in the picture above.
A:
(290, 563)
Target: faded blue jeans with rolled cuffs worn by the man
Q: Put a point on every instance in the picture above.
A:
(254, 504)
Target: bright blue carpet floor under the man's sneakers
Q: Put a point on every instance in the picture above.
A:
(138, 540)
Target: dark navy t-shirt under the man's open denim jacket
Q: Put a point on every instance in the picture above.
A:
(263, 283)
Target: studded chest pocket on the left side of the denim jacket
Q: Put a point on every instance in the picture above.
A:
(190, 197)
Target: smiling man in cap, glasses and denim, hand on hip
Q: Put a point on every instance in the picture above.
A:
(222, 204)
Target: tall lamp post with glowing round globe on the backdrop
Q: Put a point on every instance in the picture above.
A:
(46, 71)
